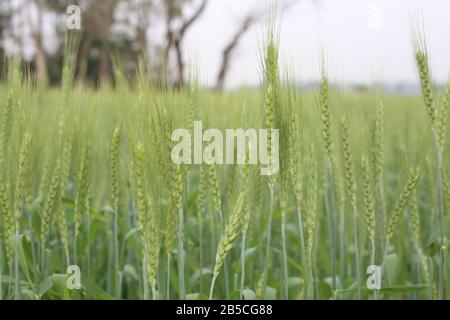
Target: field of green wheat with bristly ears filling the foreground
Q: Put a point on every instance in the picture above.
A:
(86, 180)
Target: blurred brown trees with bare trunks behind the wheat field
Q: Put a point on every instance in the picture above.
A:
(123, 31)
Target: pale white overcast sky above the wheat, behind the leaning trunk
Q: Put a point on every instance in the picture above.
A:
(364, 40)
